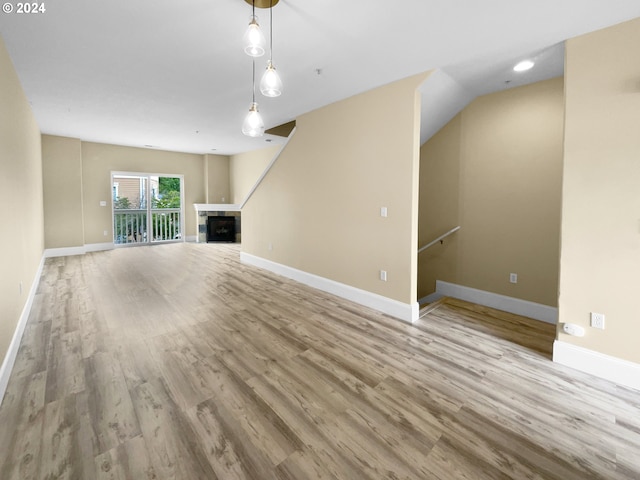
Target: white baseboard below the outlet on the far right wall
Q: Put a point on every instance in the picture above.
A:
(617, 370)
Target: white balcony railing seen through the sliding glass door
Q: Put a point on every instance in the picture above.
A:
(131, 226)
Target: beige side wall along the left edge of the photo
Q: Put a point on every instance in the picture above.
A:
(22, 238)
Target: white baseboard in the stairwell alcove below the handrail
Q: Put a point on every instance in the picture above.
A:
(537, 311)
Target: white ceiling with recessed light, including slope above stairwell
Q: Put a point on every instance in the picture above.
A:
(172, 73)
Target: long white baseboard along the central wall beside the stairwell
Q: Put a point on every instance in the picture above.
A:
(403, 311)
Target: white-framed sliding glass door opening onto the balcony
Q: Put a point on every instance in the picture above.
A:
(147, 208)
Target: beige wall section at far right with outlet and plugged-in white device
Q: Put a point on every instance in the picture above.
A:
(600, 259)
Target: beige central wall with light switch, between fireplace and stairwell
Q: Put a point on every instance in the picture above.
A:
(319, 206)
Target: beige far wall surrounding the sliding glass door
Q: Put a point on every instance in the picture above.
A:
(99, 160)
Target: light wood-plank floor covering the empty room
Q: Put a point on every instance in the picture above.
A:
(178, 362)
